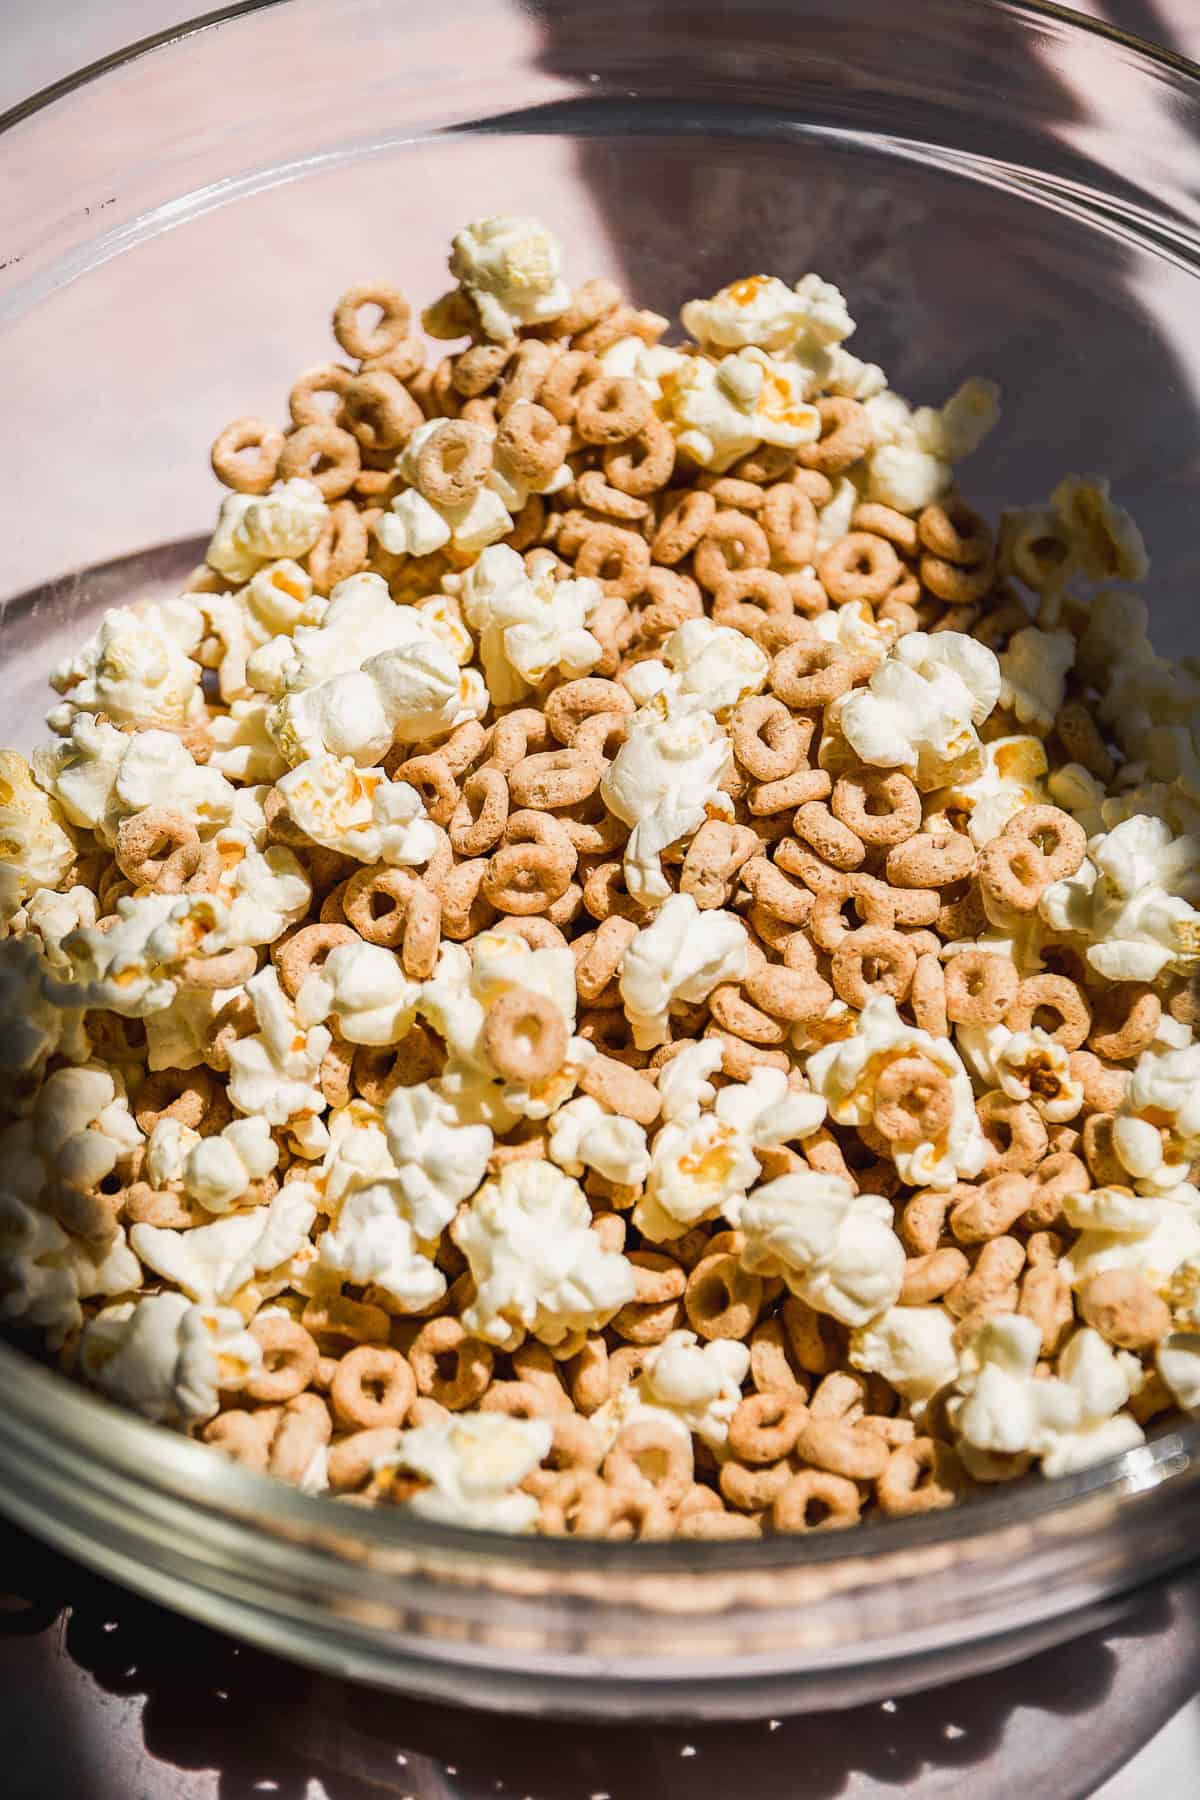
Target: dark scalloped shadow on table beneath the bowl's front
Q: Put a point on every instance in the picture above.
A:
(267, 1727)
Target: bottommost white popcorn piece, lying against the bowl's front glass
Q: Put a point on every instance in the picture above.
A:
(474, 1466)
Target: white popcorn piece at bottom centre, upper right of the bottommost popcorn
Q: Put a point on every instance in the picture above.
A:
(686, 1385)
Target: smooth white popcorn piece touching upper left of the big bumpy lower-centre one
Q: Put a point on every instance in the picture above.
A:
(440, 1162)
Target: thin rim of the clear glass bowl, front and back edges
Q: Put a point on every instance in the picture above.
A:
(184, 1471)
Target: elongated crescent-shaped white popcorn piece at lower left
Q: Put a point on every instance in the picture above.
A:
(215, 1263)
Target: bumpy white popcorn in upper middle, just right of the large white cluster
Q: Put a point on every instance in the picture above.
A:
(530, 622)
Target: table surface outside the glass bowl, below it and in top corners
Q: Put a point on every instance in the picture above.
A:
(111, 1698)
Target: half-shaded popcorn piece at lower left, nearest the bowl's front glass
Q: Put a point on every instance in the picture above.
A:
(166, 1358)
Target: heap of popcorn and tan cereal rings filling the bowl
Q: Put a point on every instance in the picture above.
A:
(618, 964)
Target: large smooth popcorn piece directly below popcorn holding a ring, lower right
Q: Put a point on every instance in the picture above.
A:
(832, 1246)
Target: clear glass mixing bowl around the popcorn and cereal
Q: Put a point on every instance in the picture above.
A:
(1001, 190)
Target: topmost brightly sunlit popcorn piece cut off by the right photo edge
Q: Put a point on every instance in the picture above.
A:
(1133, 899)
